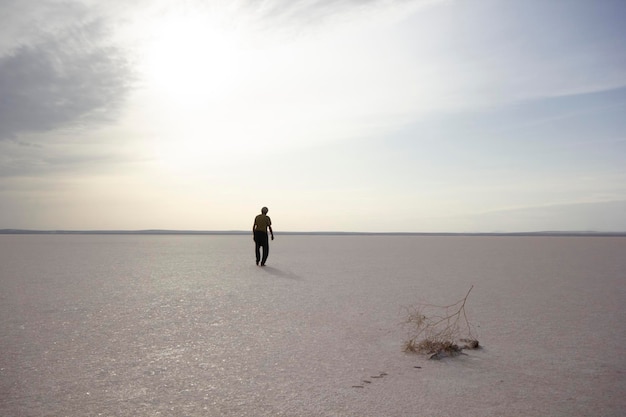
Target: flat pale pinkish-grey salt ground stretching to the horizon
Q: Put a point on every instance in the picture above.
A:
(189, 326)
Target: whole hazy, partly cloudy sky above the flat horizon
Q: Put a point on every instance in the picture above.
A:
(342, 115)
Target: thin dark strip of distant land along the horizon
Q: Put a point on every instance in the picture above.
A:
(241, 232)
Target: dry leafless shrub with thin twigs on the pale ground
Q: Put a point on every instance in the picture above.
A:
(438, 330)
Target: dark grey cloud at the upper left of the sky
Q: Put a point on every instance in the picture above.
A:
(71, 77)
